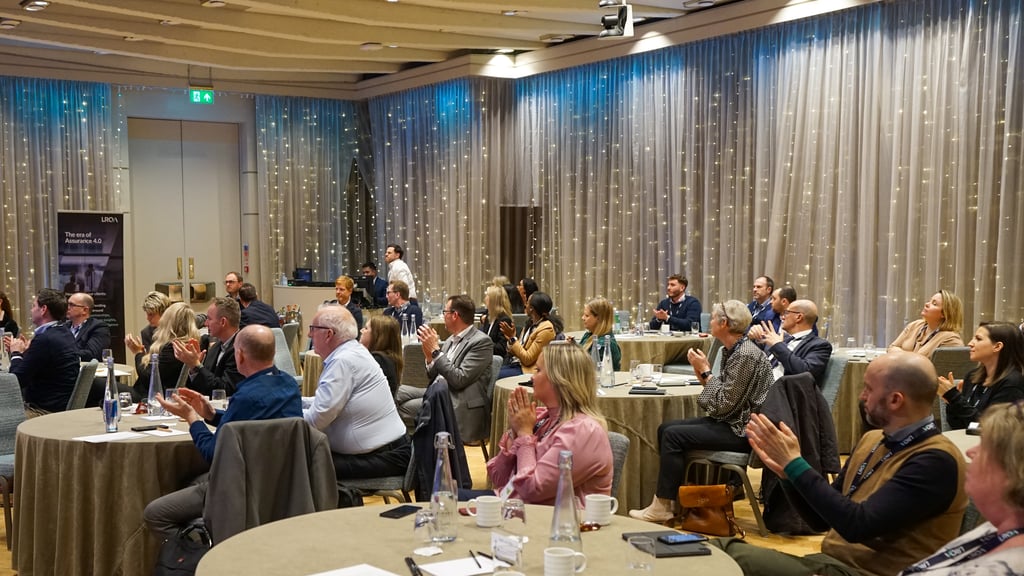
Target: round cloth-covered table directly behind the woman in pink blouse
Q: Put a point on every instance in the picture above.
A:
(634, 416)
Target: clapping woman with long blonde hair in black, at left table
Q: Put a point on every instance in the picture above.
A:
(179, 323)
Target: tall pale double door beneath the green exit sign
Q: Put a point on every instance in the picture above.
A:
(186, 204)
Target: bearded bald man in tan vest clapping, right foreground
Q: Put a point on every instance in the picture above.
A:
(899, 498)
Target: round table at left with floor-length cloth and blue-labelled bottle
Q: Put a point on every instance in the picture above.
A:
(78, 507)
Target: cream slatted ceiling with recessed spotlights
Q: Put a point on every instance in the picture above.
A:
(327, 44)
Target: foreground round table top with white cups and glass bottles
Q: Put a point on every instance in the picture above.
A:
(335, 540)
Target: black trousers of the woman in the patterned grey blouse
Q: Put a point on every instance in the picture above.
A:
(676, 438)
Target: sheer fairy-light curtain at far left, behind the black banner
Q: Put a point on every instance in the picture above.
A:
(55, 155)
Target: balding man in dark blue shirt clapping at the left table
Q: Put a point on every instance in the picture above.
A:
(265, 394)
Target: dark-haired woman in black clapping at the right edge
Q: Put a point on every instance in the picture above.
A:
(999, 350)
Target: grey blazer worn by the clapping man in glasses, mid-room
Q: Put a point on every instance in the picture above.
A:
(468, 374)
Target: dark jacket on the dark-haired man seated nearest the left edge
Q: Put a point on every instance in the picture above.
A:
(49, 369)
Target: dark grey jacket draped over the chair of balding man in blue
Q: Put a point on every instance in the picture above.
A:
(266, 471)
